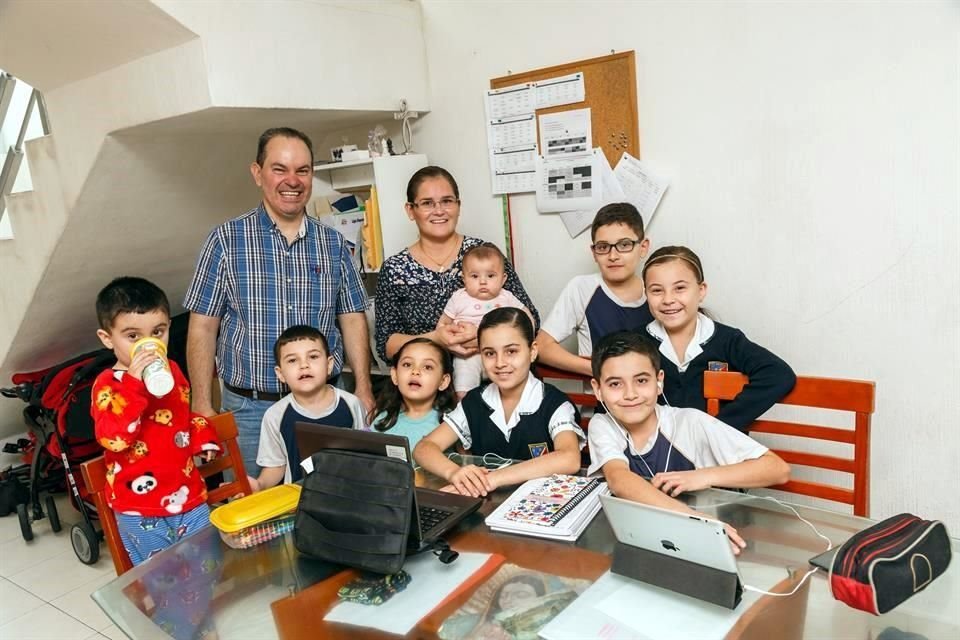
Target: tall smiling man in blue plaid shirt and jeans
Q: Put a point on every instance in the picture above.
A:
(269, 269)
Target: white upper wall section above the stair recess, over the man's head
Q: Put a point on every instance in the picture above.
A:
(350, 55)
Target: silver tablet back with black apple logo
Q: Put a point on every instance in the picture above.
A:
(678, 535)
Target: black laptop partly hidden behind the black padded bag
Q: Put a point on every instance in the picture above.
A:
(434, 512)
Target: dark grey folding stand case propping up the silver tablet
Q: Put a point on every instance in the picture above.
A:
(682, 576)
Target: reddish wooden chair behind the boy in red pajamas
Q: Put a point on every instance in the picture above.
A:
(95, 477)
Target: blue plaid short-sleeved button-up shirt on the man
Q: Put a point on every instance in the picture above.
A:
(258, 285)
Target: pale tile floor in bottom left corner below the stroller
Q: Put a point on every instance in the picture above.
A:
(44, 589)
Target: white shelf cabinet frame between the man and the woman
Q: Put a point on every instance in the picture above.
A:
(390, 175)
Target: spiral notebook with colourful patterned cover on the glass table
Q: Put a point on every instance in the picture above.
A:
(558, 507)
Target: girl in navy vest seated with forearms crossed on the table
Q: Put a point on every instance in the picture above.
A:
(516, 416)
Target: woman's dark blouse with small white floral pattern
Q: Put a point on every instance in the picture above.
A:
(411, 297)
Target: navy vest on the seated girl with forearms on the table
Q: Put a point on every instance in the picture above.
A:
(529, 439)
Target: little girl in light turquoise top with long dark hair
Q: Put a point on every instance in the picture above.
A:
(419, 393)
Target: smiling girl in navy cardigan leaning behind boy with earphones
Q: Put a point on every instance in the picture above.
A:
(691, 343)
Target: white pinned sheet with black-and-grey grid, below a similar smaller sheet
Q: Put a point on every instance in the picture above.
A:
(568, 183)
